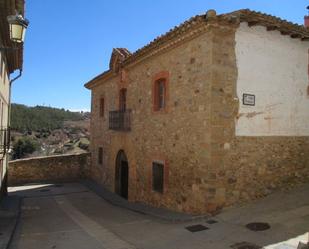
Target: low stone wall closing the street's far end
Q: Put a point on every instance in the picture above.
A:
(51, 168)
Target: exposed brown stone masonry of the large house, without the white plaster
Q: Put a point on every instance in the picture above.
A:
(206, 166)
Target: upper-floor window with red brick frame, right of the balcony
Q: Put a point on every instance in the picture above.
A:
(160, 91)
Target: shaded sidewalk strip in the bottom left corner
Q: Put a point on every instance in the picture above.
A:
(9, 213)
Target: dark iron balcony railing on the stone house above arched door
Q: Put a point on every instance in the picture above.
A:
(120, 120)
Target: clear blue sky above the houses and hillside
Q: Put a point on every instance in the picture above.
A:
(69, 42)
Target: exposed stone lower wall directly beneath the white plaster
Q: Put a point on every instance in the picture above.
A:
(256, 166)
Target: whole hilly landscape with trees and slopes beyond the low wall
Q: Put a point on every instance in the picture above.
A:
(43, 131)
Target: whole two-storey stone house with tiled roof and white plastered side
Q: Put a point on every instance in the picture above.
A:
(212, 113)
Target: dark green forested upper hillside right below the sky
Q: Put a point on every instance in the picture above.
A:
(41, 118)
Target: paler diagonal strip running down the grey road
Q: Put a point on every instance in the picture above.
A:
(106, 238)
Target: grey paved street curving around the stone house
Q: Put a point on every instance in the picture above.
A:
(71, 216)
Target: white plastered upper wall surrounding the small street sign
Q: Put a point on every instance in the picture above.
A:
(274, 68)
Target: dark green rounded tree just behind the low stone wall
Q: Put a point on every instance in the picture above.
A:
(24, 146)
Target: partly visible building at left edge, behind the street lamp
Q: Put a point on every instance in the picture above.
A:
(10, 60)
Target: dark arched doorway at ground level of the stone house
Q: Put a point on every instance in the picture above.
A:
(122, 175)
